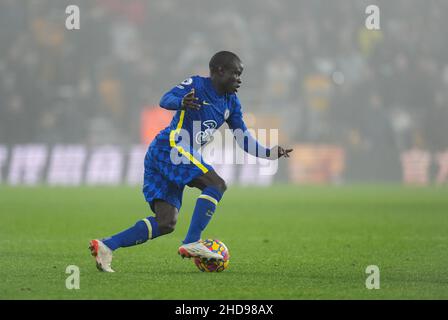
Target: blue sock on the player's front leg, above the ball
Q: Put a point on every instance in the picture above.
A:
(203, 211)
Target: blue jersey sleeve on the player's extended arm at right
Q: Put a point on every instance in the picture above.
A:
(242, 136)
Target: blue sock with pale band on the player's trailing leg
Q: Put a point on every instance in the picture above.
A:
(142, 231)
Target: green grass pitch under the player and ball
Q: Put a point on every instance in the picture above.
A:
(285, 242)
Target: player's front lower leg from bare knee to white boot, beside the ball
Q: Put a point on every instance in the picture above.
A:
(213, 187)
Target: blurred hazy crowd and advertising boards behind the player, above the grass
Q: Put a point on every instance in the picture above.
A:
(357, 105)
